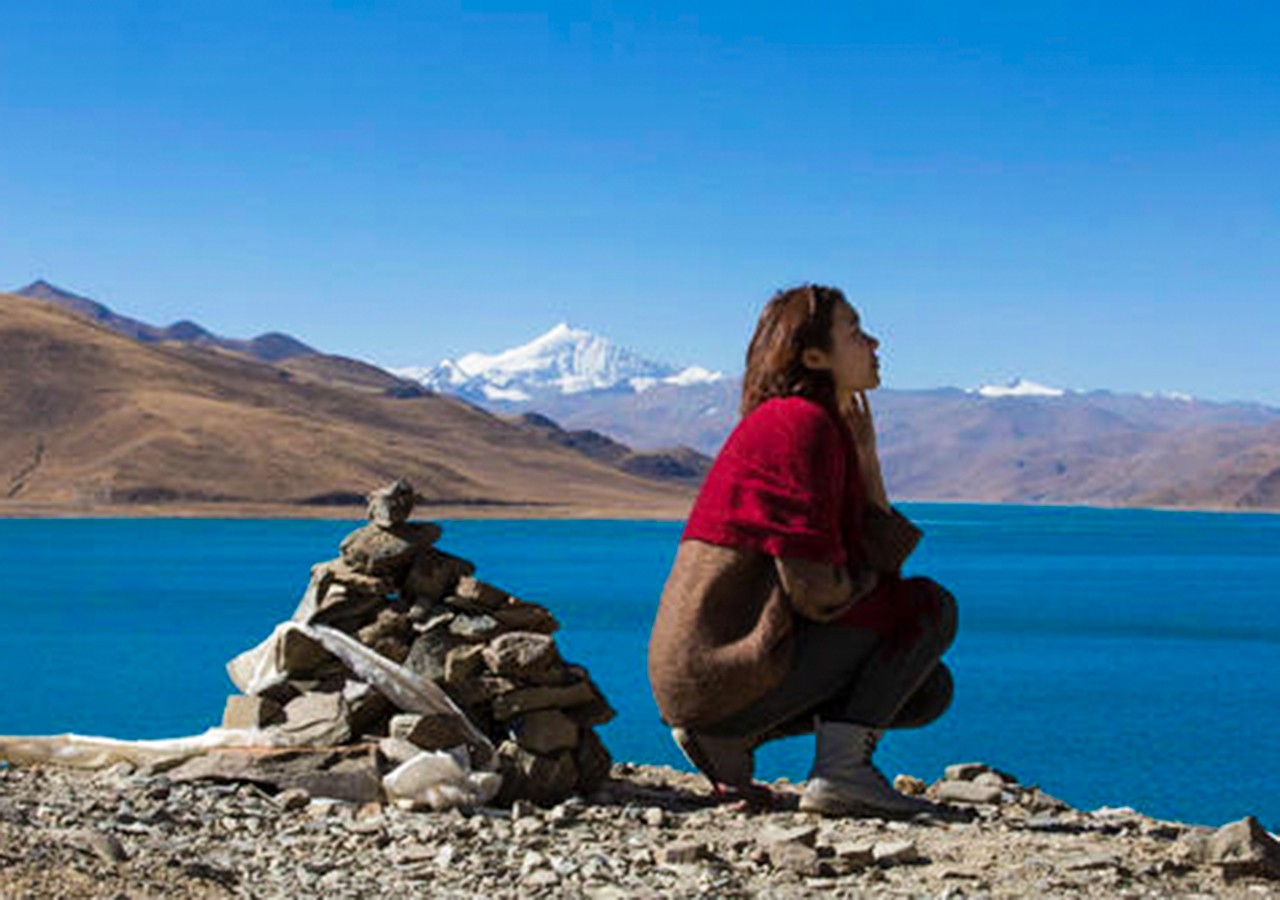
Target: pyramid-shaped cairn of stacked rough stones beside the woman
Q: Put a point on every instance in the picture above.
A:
(495, 656)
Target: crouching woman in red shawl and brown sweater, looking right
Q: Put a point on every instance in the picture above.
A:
(785, 611)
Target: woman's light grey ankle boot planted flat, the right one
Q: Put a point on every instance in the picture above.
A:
(845, 783)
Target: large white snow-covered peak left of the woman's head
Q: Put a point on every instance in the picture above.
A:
(563, 362)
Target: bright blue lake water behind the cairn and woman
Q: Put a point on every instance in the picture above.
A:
(1113, 657)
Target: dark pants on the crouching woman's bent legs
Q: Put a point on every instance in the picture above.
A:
(860, 675)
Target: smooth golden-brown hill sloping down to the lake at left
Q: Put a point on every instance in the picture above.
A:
(92, 419)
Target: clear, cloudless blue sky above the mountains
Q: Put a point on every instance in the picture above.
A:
(1084, 194)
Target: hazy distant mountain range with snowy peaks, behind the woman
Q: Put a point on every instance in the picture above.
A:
(1020, 442)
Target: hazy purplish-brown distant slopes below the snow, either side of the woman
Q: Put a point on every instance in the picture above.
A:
(948, 445)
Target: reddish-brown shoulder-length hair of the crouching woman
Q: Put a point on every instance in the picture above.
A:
(793, 322)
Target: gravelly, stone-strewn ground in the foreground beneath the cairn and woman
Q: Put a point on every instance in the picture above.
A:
(647, 833)
